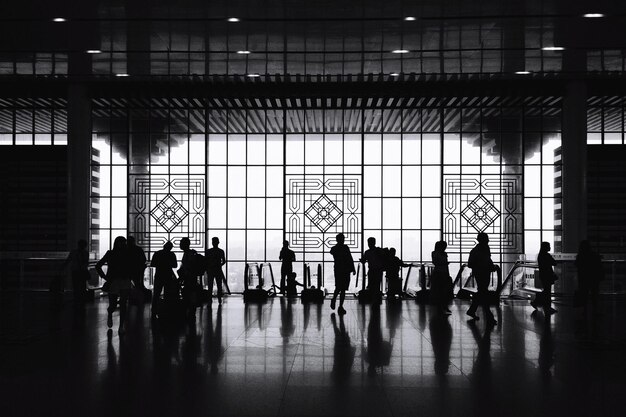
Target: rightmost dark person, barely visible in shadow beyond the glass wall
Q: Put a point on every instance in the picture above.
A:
(590, 273)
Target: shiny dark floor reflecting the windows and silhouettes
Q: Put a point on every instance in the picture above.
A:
(290, 359)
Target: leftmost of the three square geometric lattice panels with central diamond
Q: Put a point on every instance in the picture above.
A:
(167, 207)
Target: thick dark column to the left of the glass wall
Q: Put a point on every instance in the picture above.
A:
(79, 162)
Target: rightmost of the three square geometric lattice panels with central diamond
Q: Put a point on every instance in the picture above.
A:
(483, 203)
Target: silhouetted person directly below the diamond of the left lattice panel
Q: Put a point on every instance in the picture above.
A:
(164, 262)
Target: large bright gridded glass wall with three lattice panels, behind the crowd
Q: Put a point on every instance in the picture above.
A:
(253, 177)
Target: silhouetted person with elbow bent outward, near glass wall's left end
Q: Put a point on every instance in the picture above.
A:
(118, 277)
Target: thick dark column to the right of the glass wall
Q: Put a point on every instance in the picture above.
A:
(574, 159)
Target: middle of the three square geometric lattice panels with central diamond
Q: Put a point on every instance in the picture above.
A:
(320, 206)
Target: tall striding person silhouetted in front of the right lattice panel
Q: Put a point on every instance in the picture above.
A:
(482, 266)
